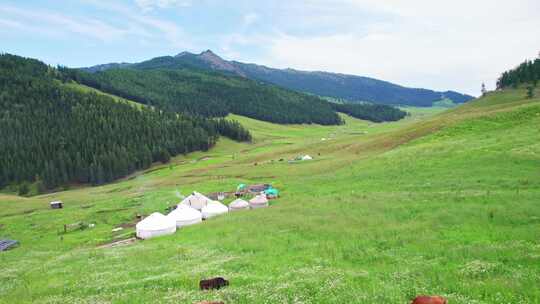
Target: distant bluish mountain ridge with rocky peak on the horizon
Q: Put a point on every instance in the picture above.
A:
(349, 87)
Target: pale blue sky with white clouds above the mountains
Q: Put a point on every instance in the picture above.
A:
(434, 44)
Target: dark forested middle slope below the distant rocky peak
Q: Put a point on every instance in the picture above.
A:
(209, 94)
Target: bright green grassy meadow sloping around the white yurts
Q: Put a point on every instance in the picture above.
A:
(439, 203)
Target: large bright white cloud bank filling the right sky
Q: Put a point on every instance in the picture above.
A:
(451, 45)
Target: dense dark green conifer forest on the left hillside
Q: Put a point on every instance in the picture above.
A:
(53, 135)
